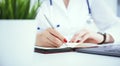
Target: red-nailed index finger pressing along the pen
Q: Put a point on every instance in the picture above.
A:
(57, 34)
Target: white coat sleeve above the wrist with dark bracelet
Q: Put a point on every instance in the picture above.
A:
(105, 19)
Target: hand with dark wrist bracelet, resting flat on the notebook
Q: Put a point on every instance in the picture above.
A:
(86, 36)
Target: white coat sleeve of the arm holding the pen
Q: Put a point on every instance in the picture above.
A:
(42, 23)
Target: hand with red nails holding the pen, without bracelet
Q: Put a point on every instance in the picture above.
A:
(50, 38)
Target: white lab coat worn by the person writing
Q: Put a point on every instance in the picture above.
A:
(74, 18)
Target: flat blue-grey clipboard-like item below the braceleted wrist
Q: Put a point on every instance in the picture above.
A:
(105, 49)
